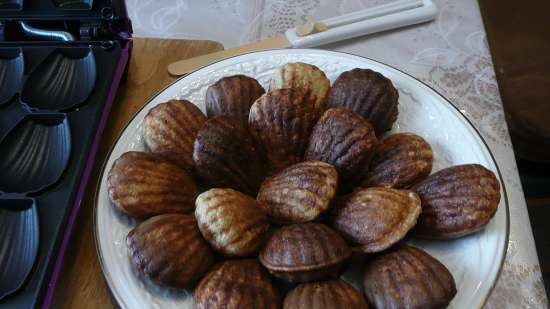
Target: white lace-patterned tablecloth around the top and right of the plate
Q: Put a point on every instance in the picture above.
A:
(450, 54)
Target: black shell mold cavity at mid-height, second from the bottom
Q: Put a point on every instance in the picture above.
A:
(35, 154)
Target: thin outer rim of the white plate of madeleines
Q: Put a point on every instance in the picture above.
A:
(119, 300)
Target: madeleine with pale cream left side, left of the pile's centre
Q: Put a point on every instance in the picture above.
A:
(232, 222)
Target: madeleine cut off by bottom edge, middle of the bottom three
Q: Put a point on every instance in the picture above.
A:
(332, 294)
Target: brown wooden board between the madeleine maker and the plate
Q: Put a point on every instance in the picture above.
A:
(81, 284)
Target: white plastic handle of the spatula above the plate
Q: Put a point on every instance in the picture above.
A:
(369, 21)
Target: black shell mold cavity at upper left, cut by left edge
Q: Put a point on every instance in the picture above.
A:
(11, 72)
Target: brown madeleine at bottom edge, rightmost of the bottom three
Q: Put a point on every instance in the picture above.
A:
(408, 277)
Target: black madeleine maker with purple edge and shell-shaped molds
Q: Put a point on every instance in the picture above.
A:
(61, 62)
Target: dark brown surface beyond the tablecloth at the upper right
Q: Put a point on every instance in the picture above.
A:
(519, 37)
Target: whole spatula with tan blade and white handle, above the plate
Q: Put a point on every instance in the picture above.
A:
(377, 19)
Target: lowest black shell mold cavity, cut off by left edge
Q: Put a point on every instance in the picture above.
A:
(19, 240)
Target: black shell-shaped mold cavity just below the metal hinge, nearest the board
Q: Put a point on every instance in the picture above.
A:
(63, 80)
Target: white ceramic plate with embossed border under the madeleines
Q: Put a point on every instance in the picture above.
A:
(474, 261)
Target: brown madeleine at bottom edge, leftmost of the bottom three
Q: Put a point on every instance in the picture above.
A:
(237, 284)
